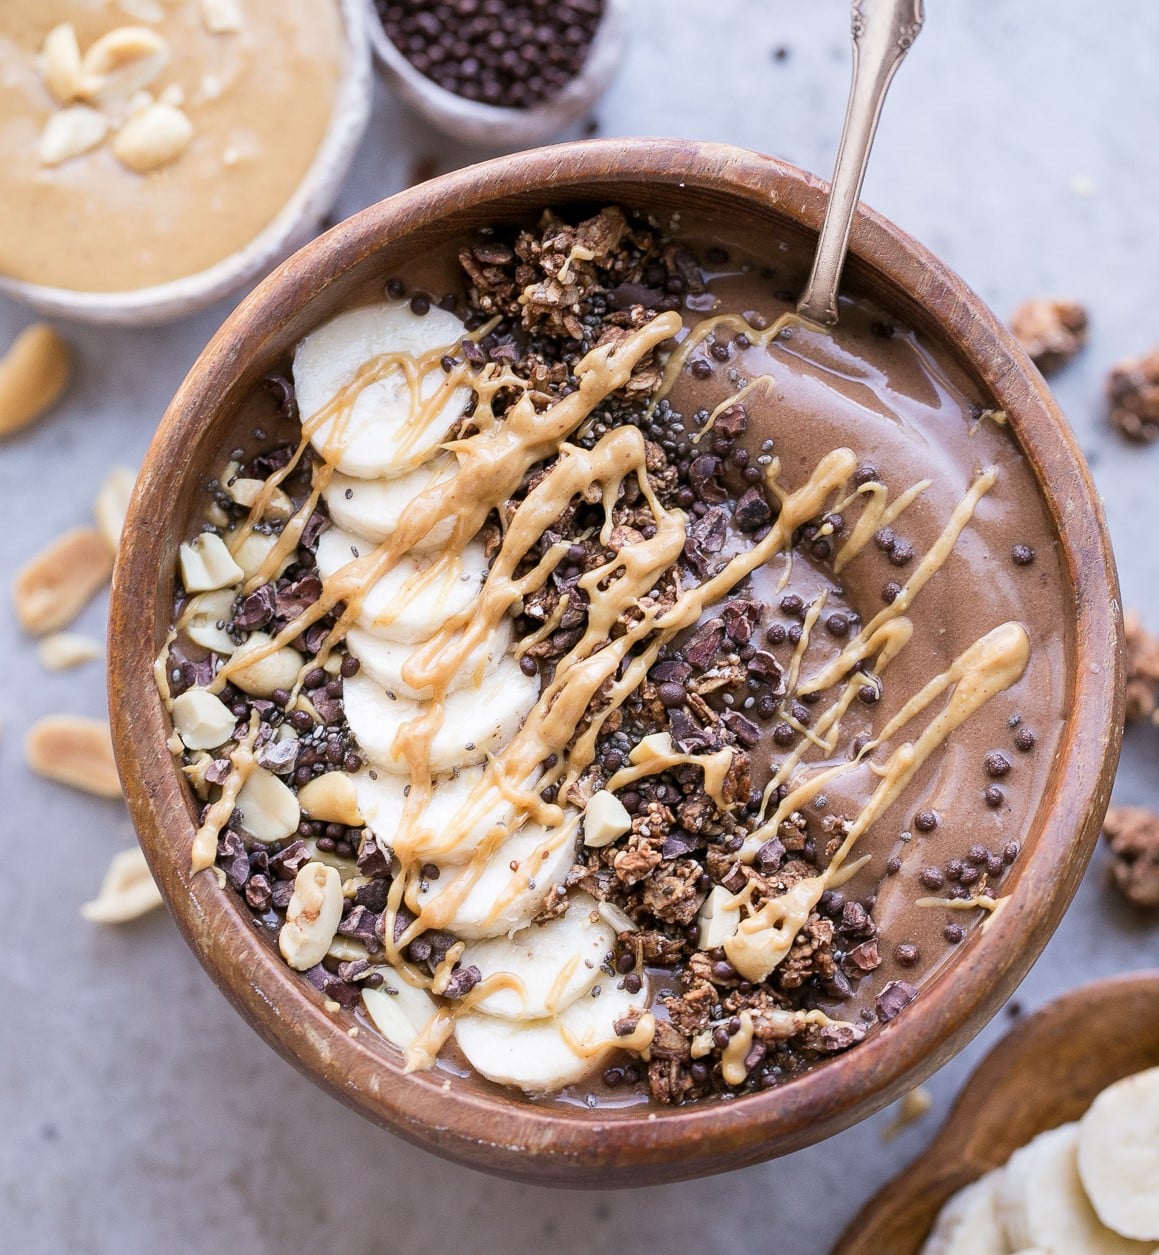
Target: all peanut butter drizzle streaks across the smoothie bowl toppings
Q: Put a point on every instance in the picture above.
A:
(494, 459)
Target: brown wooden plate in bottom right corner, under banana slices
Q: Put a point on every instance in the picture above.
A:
(1044, 1074)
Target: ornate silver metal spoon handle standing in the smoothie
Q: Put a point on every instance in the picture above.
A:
(884, 32)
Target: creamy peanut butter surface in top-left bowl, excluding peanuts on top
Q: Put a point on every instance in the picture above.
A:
(259, 101)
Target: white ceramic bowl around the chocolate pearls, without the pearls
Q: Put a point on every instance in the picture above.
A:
(487, 126)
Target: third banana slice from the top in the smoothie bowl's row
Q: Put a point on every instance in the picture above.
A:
(413, 601)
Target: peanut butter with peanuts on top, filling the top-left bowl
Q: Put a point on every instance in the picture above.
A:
(146, 141)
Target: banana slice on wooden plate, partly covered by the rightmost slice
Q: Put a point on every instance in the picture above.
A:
(1040, 1202)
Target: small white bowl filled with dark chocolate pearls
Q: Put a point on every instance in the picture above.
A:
(500, 73)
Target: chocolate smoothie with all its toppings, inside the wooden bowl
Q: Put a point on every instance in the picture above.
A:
(633, 691)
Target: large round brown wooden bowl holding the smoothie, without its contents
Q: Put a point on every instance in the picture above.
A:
(470, 1120)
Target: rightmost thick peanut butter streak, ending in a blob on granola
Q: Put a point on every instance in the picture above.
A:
(988, 668)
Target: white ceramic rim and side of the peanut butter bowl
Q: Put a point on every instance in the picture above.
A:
(308, 204)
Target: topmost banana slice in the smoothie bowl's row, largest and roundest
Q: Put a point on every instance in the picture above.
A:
(394, 425)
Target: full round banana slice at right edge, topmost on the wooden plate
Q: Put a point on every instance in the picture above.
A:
(1119, 1155)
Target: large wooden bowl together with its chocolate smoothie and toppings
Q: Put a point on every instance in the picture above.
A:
(599, 725)
